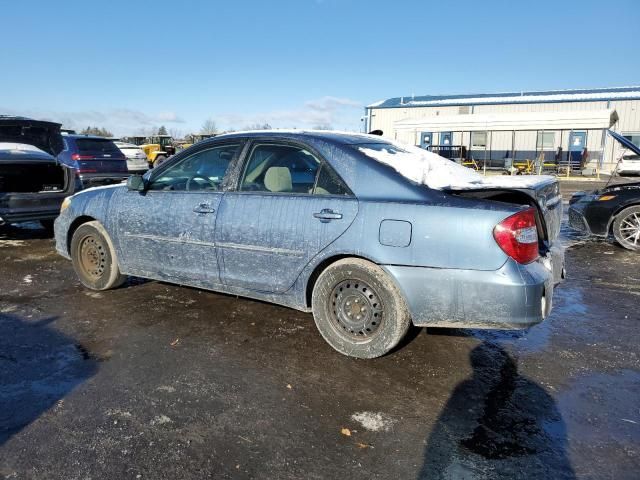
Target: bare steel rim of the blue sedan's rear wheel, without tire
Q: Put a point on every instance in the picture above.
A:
(356, 309)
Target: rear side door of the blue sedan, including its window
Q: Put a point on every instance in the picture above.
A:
(288, 207)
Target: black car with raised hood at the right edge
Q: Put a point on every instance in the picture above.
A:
(613, 209)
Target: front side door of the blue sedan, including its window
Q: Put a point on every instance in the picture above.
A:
(168, 231)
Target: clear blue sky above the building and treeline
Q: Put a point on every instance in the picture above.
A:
(132, 65)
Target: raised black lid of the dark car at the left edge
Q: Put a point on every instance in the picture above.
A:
(43, 135)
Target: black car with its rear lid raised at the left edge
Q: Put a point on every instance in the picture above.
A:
(32, 182)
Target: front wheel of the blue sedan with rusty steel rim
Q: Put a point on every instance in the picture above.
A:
(94, 258)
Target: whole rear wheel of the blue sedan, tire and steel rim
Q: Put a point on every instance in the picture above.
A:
(358, 309)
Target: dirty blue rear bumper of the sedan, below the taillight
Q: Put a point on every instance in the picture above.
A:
(513, 297)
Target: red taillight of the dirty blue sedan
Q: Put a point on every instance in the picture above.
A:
(517, 236)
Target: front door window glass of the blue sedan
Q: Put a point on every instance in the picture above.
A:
(202, 171)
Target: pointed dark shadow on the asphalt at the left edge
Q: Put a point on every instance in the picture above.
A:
(39, 366)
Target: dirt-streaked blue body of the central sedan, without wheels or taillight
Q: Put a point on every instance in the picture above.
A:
(267, 225)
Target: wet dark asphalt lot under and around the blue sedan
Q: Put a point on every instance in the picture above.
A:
(160, 381)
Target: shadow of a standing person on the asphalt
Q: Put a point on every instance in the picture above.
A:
(497, 424)
